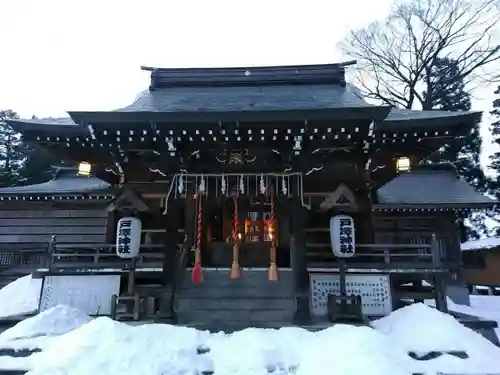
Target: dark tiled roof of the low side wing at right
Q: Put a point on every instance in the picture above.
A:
(431, 185)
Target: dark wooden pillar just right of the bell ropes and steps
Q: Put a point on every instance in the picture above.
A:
(299, 263)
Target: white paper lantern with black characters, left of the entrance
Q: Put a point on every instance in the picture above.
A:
(128, 237)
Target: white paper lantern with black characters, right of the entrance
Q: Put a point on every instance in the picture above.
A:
(342, 235)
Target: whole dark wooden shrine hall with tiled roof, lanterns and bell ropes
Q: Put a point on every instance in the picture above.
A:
(266, 195)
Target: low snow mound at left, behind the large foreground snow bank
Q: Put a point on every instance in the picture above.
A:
(55, 321)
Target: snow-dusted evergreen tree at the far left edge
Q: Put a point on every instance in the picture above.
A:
(11, 153)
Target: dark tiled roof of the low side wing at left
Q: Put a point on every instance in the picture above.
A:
(65, 183)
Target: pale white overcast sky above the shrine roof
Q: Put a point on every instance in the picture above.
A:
(59, 55)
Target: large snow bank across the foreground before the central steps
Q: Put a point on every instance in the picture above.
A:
(107, 347)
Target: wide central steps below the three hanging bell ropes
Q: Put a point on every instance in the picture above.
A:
(219, 303)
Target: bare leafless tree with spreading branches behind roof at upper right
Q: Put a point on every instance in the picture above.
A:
(396, 55)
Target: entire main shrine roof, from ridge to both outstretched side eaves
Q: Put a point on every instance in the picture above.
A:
(259, 93)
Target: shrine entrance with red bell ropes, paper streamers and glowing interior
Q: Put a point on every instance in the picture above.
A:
(240, 221)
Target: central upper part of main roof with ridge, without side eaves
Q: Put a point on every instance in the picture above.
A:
(281, 88)
